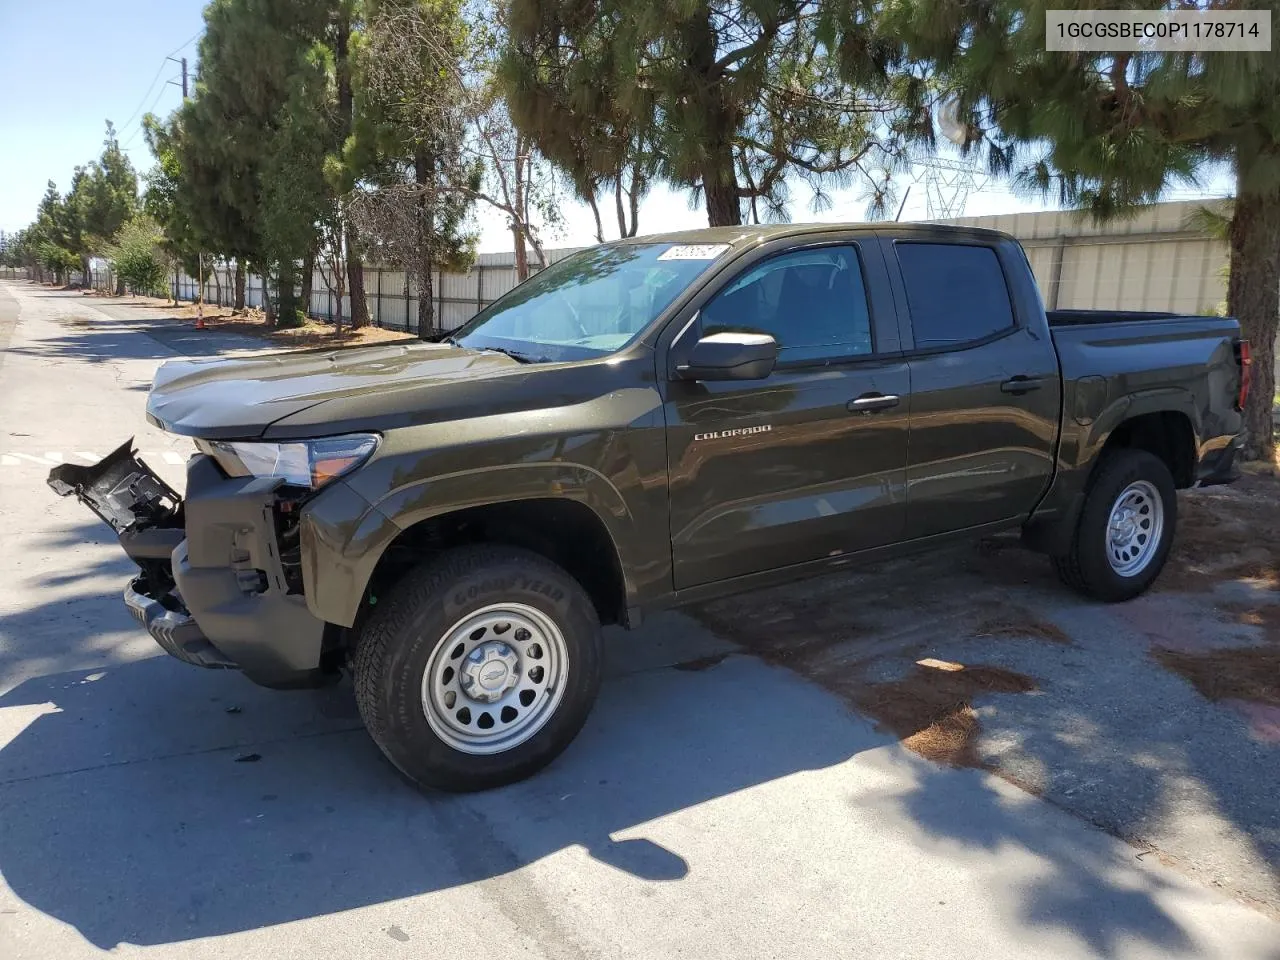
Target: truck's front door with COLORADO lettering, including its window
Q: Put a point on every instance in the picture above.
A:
(810, 463)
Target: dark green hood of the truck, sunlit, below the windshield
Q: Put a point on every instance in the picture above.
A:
(239, 399)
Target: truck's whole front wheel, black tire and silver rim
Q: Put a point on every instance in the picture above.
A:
(479, 669)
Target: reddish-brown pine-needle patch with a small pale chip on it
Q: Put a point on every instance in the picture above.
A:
(931, 711)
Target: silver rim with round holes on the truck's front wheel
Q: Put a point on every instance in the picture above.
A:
(495, 679)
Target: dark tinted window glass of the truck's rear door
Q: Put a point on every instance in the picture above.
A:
(957, 294)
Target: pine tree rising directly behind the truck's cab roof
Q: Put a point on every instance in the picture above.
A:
(733, 99)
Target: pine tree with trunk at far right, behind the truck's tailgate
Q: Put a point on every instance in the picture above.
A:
(1107, 132)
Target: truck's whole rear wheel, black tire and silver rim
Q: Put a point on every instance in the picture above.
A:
(1126, 529)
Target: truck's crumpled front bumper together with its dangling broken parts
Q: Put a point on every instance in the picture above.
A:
(213, 591)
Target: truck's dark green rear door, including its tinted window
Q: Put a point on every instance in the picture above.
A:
(986, 391)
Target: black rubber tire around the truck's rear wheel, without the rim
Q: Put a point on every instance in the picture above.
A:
(1086, 566)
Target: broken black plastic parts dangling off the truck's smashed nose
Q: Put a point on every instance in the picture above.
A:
(149, 519)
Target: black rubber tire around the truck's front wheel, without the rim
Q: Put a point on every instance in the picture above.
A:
(395, 650)
